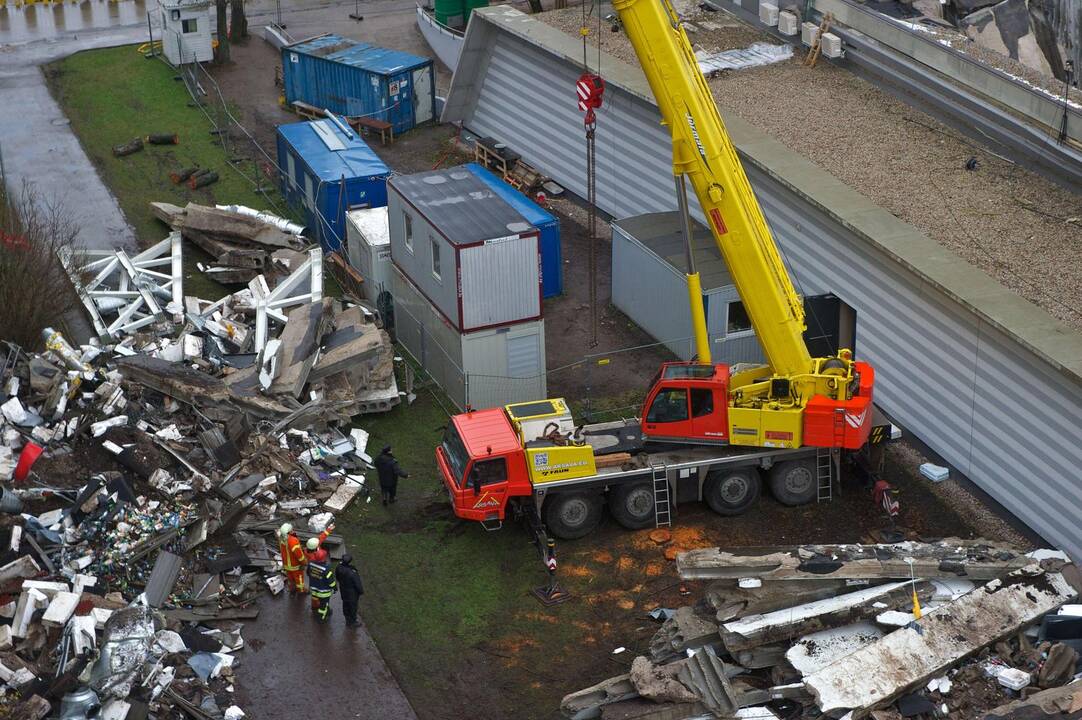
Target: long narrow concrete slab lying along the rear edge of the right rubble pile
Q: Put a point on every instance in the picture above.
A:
(952, 558)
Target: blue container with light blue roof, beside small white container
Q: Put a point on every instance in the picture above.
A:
(327, 171)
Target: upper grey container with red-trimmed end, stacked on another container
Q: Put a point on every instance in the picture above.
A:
(466, 250)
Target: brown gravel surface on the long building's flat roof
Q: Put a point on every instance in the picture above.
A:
(1021, 229)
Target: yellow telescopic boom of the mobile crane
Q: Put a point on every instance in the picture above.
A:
(704, 153)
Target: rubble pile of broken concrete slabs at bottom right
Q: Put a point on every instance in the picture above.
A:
(954, 629)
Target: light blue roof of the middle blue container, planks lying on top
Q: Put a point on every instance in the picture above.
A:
(331, 153)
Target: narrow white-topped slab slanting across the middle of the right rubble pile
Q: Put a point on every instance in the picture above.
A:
(783, 625)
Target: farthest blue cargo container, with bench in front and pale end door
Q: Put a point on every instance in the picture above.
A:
(354, 78)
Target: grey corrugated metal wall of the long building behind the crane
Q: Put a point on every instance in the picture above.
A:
(989, 407)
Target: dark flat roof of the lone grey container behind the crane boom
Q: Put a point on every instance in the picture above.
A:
(662, 234)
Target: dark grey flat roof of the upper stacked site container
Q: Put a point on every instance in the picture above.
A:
(460, 206)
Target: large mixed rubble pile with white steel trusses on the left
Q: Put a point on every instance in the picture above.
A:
(143, 477)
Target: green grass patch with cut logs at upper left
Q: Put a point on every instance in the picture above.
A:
(115, 95)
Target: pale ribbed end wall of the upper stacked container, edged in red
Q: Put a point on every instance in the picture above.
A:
(500, 283)
